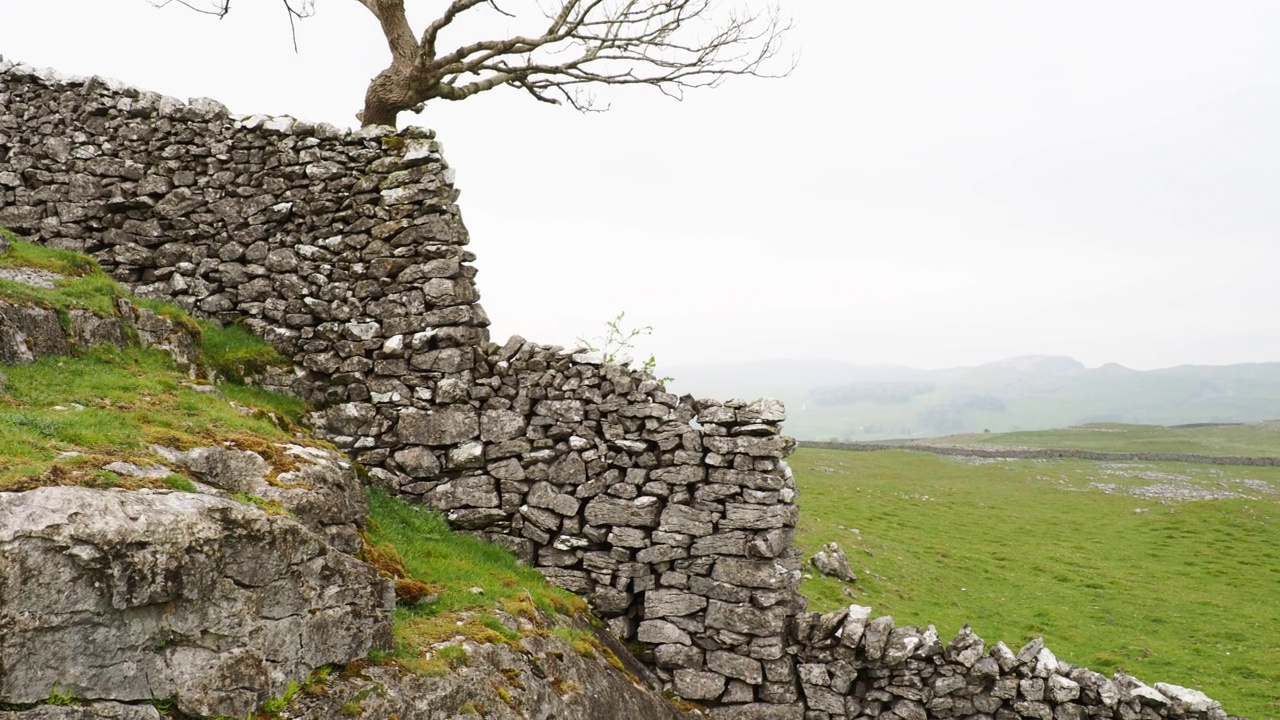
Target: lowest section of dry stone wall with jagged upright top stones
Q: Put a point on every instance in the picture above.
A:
(851, 666)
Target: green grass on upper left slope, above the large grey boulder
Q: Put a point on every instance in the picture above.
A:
(63, 418)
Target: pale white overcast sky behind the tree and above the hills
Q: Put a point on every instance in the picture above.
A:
(939, 184)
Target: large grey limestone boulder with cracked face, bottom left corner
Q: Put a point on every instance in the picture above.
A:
(132, 596)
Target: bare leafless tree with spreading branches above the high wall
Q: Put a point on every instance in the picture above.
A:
(671, 45)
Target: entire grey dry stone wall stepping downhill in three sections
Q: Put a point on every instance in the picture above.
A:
(674, 517)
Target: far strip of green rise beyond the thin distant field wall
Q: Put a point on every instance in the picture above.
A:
(1245, 440)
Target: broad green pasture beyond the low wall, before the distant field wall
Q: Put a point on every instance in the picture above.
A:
(1178, 593)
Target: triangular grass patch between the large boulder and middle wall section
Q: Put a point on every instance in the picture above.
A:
(455, 566)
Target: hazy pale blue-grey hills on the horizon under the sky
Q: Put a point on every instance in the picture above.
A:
(833, 400)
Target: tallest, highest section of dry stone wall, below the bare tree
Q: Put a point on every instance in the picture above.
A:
(345, 250)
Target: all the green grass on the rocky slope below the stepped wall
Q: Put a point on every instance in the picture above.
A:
(63, 418)
